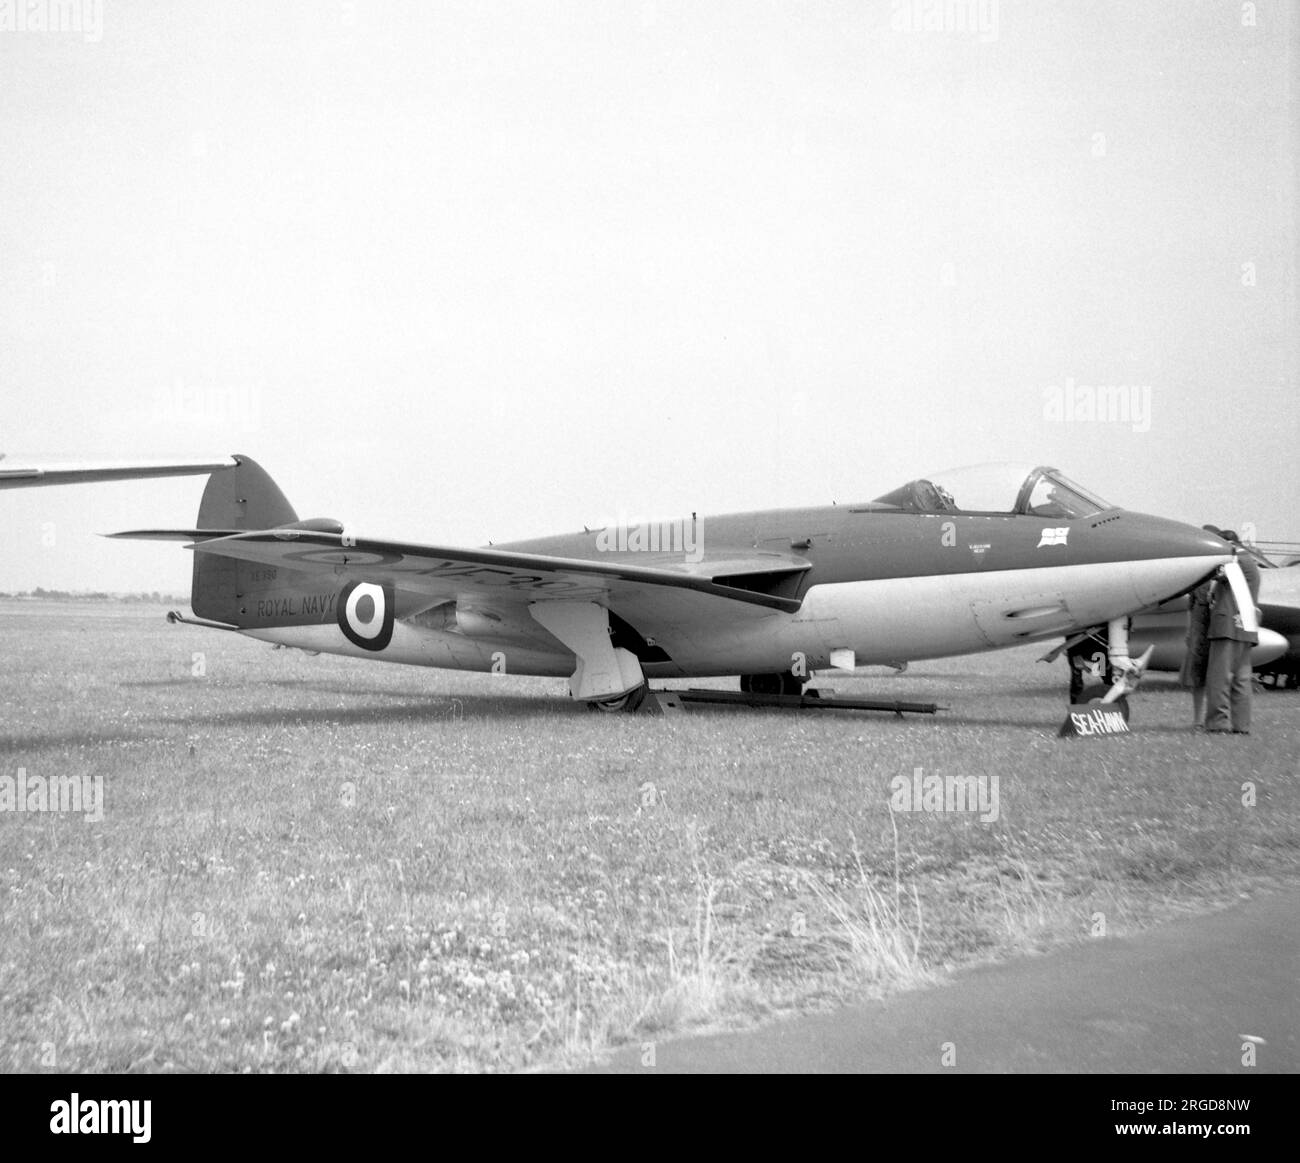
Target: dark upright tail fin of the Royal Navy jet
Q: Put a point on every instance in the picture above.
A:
(242, 498)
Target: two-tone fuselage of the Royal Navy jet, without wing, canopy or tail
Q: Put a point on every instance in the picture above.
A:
(887, 585)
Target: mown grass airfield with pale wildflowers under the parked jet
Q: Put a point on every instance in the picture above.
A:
(323, 865)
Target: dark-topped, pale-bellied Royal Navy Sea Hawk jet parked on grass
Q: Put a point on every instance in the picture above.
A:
(969, 561)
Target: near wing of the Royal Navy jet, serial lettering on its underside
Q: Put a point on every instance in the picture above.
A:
(760, 581)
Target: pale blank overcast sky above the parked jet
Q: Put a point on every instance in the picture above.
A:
(487, 271)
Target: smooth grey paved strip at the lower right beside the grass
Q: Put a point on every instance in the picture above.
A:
(1173, 1000)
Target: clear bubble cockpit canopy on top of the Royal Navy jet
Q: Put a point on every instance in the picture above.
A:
(1002, 489)
